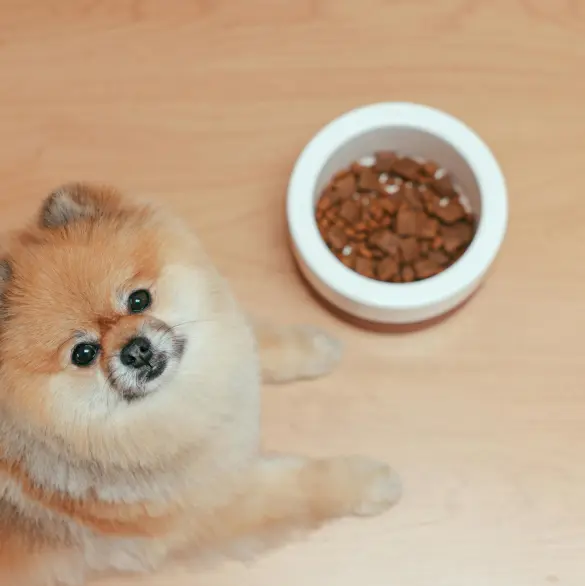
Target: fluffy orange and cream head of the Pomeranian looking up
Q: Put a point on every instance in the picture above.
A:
(101, 303)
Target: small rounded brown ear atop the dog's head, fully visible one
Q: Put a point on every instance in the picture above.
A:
(75, 201)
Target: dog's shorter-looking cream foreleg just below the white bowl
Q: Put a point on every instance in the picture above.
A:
(289, 353)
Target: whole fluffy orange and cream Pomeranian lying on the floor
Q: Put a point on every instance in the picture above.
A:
(130, 400)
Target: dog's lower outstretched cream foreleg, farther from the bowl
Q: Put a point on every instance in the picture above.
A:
(287, 493)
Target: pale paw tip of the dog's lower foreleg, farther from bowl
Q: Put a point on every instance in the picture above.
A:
(378, 486)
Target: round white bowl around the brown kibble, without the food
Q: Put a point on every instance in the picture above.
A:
(413, 130)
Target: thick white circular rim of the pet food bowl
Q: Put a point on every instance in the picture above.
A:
(359, 289)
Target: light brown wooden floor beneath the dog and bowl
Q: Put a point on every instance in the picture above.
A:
(206, 104)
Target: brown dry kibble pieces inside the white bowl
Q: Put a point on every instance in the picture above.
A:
(394, 218)
